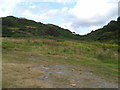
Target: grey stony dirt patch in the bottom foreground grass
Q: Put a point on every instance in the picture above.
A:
(66, 76)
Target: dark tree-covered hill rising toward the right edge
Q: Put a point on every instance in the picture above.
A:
(109, 33)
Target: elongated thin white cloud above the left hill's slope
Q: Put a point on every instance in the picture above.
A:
(41, 15)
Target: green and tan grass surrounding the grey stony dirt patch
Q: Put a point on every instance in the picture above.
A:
(99, 58)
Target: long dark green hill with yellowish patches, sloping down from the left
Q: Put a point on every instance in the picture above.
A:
(21, 27)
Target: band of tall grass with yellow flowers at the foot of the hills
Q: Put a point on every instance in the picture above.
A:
(98, 50)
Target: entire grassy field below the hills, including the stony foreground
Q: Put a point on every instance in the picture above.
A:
(46, 63)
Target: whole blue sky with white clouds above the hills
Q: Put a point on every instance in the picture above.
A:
(79, 16)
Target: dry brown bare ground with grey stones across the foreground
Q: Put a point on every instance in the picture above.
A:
(37, 72)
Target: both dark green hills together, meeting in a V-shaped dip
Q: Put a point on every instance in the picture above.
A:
(21, 27)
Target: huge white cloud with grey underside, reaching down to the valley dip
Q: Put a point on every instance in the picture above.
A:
(91, 14)
